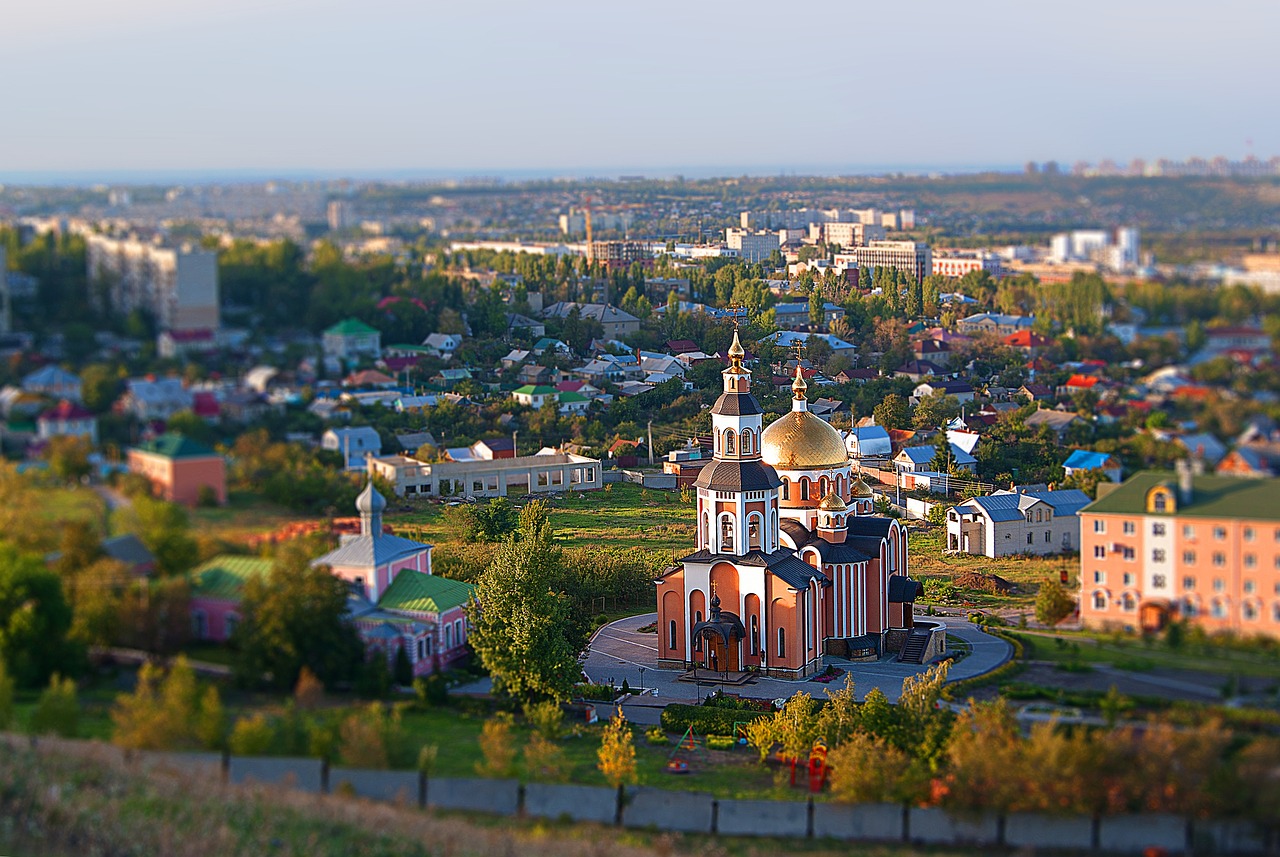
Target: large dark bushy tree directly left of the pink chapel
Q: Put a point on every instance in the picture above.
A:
(295, 617)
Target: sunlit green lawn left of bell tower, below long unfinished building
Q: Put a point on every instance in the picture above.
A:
(624, 516)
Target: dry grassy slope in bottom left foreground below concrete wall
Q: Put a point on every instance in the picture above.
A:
(77, 800)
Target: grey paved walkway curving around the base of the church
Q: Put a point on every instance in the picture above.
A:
(619, 652)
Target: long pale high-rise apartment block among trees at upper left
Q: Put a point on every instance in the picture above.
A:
(177, 285)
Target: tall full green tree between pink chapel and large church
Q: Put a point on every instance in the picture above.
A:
(522, 627)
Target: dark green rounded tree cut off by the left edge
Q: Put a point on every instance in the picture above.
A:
(35, 621)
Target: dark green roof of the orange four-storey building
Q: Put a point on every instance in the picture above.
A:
(1213, 497)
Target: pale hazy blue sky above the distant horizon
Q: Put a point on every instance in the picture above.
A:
(483, 85)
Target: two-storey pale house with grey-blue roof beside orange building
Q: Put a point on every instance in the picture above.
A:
(1017, 523)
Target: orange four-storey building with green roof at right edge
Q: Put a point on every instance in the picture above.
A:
(1165, 547)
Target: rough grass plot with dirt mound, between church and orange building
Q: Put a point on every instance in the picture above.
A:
(930, 563)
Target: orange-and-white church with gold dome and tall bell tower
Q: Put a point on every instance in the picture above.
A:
(790, 554)
